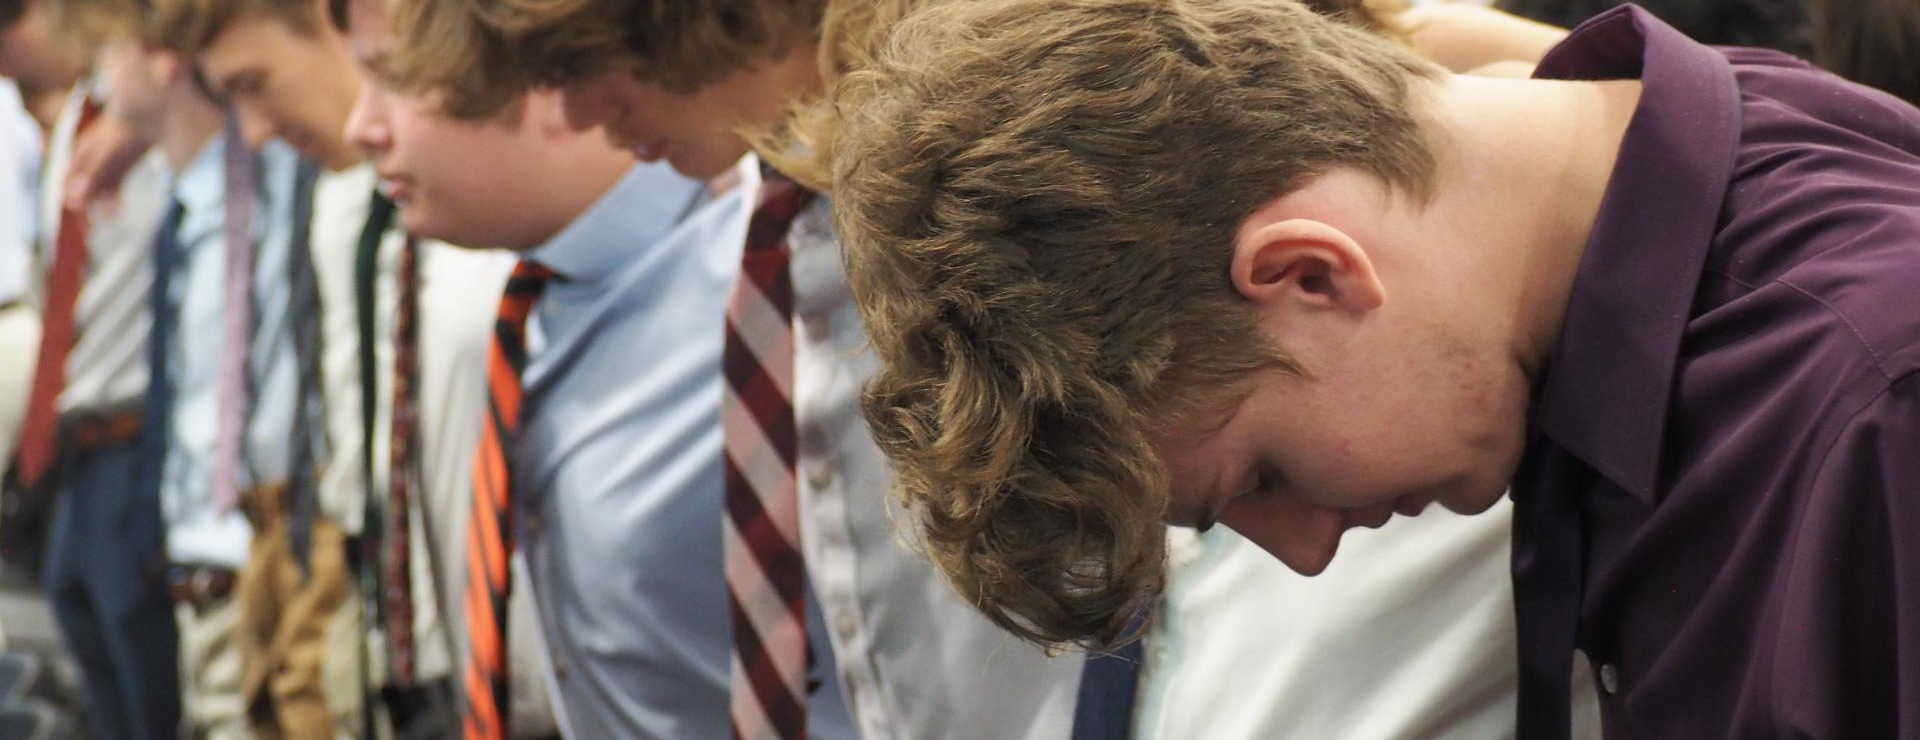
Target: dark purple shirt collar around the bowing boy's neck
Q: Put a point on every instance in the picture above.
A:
(1608, 382)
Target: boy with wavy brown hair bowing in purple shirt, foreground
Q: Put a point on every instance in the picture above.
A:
(1660, 287)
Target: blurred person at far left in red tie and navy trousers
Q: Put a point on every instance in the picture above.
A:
(82, 441)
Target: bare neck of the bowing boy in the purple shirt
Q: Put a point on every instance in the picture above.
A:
(1525, 166)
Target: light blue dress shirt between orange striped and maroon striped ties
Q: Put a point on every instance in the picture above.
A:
(617, 468)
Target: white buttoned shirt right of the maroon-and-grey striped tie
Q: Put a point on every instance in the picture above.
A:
(915, 660)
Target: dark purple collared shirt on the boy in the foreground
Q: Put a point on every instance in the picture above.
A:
(1721, 499)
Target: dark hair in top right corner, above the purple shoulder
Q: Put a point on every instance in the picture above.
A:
(1871, 41)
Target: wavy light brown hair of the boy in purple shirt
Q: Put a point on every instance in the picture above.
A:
(1038, 205)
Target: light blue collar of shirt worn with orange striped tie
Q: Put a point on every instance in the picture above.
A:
(625, 222)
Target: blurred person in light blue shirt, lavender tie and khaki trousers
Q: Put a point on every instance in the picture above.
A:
(224, 389)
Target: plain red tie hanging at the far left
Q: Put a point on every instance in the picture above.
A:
(57, 335)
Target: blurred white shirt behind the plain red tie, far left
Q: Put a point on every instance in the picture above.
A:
(112, 316)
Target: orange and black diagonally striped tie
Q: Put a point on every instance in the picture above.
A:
(491, 524)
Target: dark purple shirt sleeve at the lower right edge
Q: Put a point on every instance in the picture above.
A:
(1848, 643)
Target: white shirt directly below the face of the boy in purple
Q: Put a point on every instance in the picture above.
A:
(1406, 637)
